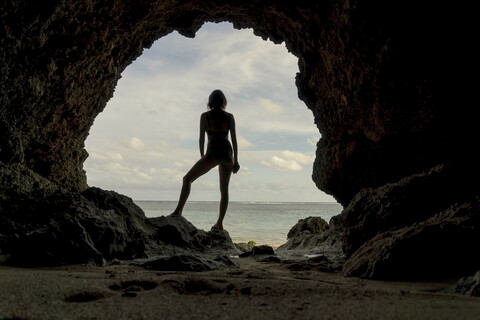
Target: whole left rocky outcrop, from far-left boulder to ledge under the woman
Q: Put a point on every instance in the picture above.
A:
(94, 227)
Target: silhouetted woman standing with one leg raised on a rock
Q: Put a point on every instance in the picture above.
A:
(216, 123)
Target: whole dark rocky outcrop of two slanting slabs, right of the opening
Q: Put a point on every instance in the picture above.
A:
(408, 230)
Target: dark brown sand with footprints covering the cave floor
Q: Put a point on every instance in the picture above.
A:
(253, 291)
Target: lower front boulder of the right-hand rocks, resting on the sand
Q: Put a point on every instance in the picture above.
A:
(442, 246)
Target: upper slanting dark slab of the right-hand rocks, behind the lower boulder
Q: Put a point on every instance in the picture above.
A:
(401, 204)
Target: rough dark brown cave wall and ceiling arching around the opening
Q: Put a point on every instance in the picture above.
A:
(387, 82)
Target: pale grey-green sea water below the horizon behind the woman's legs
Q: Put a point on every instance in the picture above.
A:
(263, 222)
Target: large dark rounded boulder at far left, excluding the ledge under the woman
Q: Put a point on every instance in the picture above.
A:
(71, 228)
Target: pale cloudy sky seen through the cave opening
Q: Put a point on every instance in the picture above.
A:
(146, 139)
